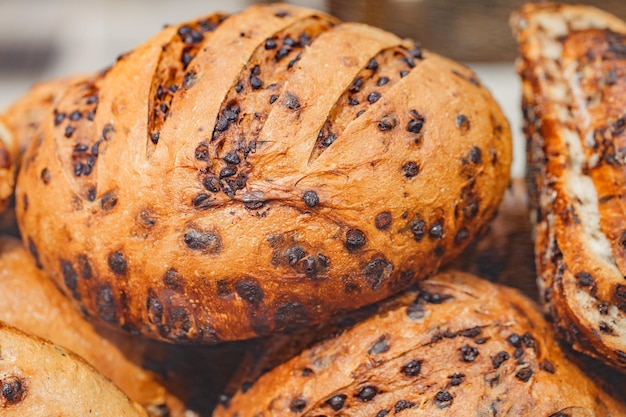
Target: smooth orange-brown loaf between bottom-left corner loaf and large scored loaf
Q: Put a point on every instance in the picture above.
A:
(167, 380)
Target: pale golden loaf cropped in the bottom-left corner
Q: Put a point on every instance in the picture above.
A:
(40, 379)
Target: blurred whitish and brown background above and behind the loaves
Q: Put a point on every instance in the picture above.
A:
(41, 39)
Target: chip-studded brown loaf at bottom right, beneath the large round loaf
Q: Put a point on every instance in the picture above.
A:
(458, 345)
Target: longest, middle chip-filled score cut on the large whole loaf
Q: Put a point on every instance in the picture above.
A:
(248, 104)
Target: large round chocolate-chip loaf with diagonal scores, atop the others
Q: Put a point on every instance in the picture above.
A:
(245, 174)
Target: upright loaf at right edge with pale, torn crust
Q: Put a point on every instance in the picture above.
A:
(573, 69)
